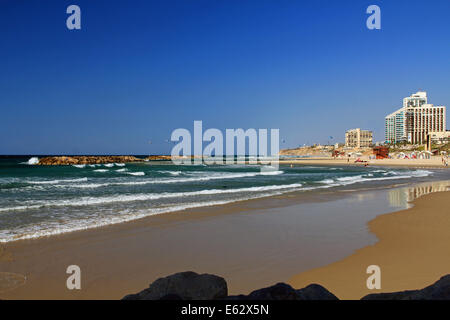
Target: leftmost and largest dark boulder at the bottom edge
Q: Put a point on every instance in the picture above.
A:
(186, 286)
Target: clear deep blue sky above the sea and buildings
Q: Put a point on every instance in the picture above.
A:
(137, 70)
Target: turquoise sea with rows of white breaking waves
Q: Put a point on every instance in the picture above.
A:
(40, 201)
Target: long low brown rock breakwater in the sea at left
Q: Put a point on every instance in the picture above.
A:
(66, 160)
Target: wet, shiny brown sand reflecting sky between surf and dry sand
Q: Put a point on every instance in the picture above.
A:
(252, 244)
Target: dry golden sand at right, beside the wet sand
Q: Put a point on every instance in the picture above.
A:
(413, 252)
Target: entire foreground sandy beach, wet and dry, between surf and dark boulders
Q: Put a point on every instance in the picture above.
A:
(252, 244)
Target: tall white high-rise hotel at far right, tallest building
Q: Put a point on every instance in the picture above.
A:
(415, 120)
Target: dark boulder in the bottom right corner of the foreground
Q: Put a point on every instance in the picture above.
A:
(440, 290)
